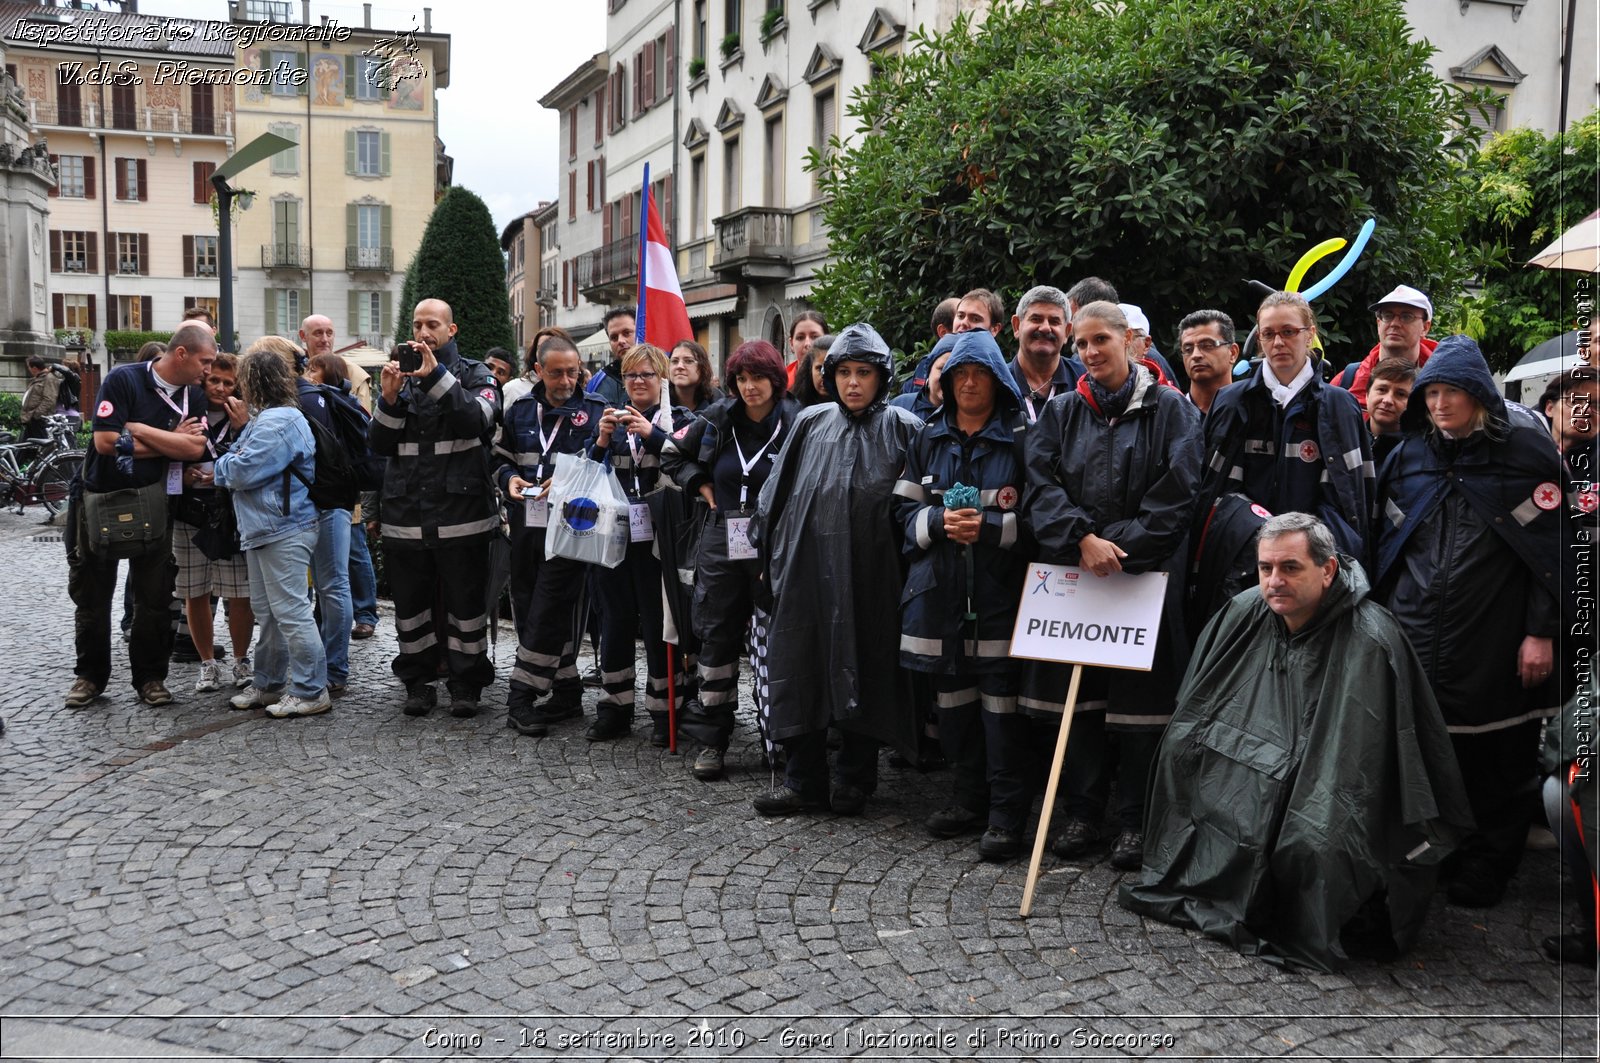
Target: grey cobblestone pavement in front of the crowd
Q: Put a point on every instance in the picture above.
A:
(369, 886)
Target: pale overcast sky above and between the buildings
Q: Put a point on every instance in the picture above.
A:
(503, 57)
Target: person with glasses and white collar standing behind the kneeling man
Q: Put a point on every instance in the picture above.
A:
(1289, 443)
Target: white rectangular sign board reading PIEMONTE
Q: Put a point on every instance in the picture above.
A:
(1074, 617)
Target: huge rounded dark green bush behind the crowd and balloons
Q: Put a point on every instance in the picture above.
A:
(1175, 150)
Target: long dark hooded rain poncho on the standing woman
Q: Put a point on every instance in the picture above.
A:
(826, 534)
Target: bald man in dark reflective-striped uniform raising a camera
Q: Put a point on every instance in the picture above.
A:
(434, 420)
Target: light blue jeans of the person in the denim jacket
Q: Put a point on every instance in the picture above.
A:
(287, 648)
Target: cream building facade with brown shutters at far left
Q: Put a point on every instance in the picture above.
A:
(137, 113)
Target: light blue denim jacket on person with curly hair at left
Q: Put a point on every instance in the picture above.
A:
(255, 471)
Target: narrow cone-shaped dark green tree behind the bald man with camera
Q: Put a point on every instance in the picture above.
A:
(460, 262)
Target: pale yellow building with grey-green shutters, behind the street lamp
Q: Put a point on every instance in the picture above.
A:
(335, 222)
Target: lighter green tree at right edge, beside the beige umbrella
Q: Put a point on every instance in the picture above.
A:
(1529, 190)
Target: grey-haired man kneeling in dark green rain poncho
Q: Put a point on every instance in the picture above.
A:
(1306, 790)
